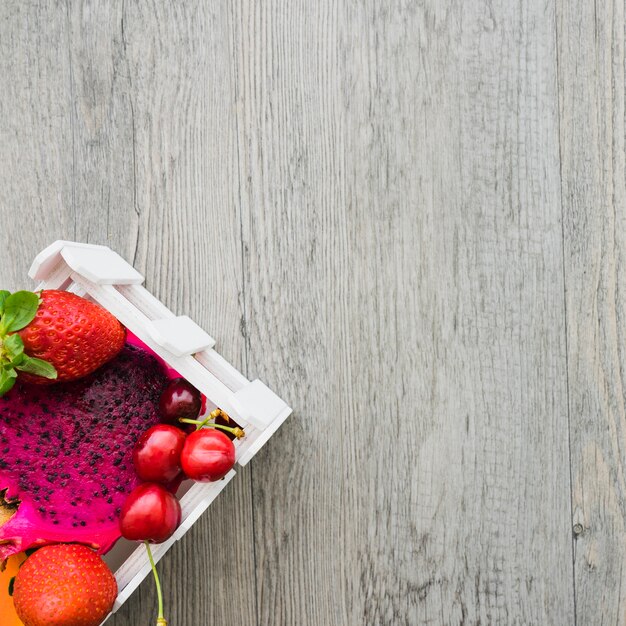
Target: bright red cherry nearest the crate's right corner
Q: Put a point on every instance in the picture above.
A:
(208, 455)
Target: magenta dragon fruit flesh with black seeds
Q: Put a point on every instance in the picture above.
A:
(66, 453)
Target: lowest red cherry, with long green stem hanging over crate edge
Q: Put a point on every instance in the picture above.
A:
(150, 513)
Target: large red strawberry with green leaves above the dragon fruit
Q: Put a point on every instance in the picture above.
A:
(54, 336)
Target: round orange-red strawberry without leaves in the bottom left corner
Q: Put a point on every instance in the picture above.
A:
(64, 585)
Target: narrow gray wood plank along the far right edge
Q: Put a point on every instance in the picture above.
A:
(591, 84)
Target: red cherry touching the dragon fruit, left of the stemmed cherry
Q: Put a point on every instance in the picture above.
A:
(157, 453)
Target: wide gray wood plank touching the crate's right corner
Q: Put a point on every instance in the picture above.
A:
(403, 254)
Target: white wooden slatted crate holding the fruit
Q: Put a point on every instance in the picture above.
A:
(100, 274)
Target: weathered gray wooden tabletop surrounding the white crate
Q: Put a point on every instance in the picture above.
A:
(409, 219)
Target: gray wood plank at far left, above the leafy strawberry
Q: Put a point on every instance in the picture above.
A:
(35, 135)
